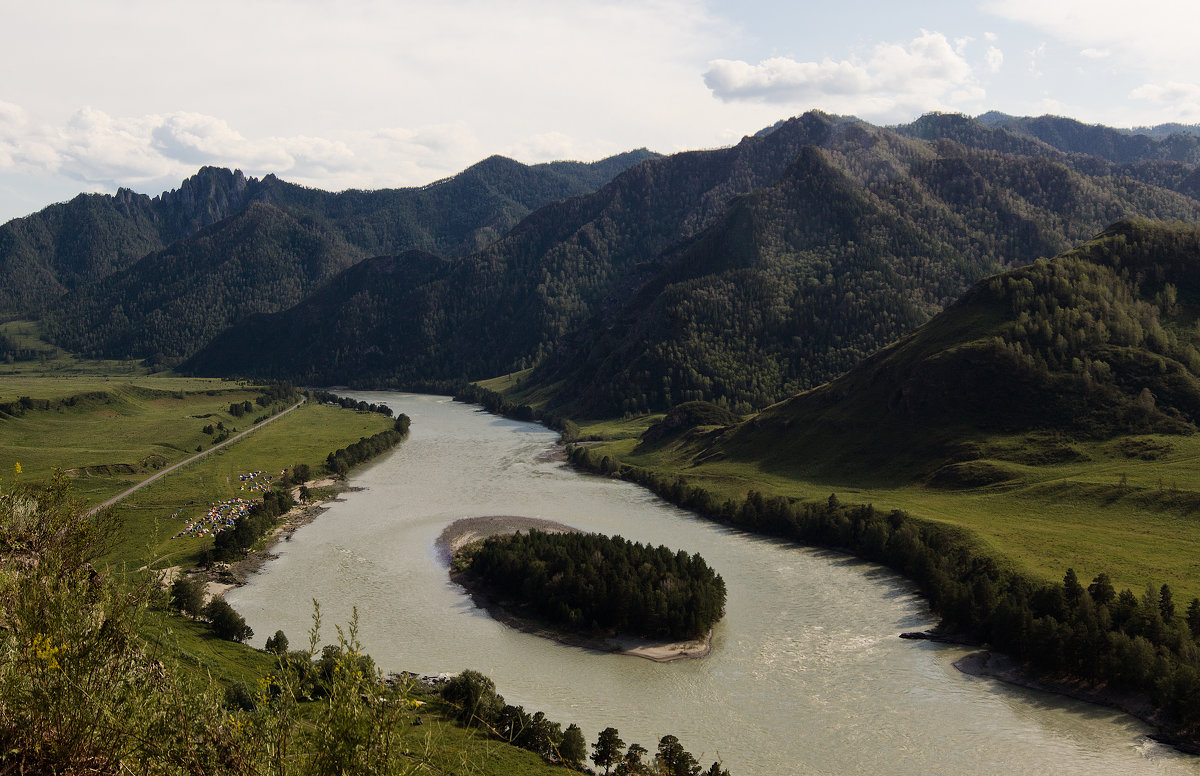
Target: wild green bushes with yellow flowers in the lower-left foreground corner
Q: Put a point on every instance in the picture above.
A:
(71, 664)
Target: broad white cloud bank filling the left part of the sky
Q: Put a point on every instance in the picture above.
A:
(370, 95)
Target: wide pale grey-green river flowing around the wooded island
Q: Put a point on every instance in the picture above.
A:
(807, 675)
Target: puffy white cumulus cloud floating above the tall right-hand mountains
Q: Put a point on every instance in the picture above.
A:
(895, 77)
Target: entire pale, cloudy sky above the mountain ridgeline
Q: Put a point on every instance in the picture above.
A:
(371, 94)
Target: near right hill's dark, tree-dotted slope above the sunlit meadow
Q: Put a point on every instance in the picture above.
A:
(1099, 341)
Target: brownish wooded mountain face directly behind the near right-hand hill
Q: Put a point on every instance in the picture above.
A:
(857, 245)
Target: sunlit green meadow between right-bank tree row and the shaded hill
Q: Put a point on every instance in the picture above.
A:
(1130, 508)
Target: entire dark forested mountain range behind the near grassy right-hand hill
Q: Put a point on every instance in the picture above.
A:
(740, 276)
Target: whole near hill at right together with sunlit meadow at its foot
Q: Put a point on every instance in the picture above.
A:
(1052, 413)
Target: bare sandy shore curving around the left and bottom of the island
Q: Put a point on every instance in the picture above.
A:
(472, 530)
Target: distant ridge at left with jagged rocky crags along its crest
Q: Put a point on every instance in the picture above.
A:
(97, 236)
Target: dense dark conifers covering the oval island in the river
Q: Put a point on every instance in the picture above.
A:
(595, 585)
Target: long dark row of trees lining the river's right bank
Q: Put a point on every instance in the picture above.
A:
(1137, 643)
